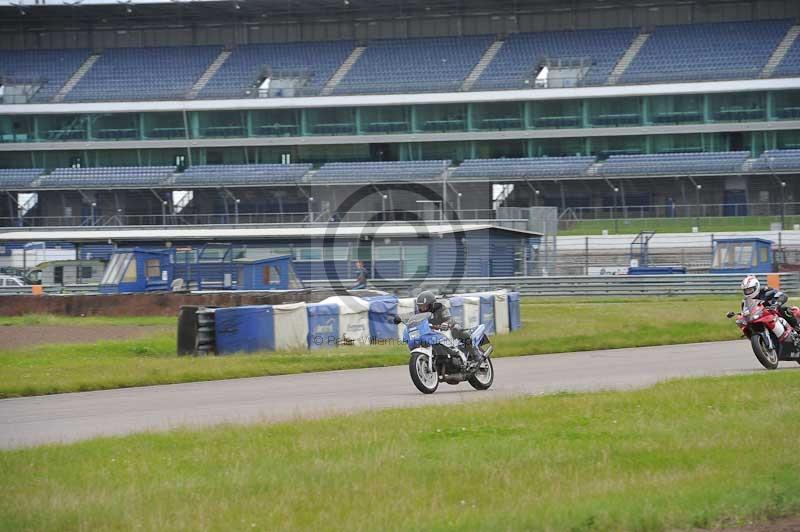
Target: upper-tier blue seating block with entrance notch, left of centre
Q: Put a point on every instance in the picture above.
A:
(247, 63)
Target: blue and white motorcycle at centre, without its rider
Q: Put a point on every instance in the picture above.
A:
(436, 357)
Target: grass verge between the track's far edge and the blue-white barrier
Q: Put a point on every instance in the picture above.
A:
(548, 327)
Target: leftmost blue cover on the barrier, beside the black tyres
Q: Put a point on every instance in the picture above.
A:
(249, 328)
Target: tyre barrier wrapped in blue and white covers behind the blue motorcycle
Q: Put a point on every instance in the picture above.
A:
(333, 322)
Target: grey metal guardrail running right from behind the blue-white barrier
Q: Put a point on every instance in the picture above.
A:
(597, 285)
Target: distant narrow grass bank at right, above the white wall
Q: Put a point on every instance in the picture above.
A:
(676, 225)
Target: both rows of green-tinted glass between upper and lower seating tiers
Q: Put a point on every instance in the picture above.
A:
(102, 129)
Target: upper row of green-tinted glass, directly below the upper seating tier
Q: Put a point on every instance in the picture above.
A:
(407, 119)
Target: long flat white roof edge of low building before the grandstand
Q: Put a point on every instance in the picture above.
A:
(343, 231)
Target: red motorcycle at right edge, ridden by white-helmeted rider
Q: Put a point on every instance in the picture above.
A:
(770, 335)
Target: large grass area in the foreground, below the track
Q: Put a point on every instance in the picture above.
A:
(681, 455)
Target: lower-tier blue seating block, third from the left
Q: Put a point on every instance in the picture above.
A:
(242, 174)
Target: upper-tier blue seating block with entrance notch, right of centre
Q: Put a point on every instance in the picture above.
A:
(522, 53)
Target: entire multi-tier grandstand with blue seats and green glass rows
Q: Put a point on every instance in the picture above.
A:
(255, 113)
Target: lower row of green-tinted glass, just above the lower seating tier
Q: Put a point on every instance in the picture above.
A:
(604, 146)
